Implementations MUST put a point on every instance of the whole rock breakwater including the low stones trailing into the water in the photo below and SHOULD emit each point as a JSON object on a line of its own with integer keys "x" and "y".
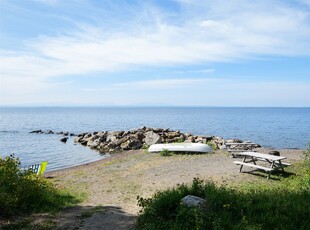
{"x": 116, "y": 141}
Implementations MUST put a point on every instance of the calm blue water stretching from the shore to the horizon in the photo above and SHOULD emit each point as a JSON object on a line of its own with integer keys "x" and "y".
{"x": 271, "y": 127}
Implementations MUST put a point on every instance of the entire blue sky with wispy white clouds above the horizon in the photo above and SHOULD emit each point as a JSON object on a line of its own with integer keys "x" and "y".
{"x": 155, "y": 53}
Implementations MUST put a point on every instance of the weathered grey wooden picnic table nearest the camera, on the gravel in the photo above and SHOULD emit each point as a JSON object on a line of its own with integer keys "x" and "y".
{"x": 251, "y": 158}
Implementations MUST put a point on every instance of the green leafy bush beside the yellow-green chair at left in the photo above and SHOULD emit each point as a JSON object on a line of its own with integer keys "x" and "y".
{"x": 22, "y": 192}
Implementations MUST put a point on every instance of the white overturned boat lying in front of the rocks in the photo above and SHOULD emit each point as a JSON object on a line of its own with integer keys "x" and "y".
{"x": 181, "y": 147}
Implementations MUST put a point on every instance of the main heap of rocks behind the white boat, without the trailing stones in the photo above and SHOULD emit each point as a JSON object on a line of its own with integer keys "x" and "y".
{"x": 136, "y": 139}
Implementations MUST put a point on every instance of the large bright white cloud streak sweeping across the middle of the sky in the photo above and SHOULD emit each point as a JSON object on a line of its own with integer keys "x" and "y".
{"x": 276, "y": 30}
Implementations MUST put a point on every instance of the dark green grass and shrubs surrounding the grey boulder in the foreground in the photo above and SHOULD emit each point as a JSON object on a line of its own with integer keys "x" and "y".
{"x": 282, "y": 204}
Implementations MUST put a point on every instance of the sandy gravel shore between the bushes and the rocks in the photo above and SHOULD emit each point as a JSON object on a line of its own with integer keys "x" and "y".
{"x": 113, "y": 184}
